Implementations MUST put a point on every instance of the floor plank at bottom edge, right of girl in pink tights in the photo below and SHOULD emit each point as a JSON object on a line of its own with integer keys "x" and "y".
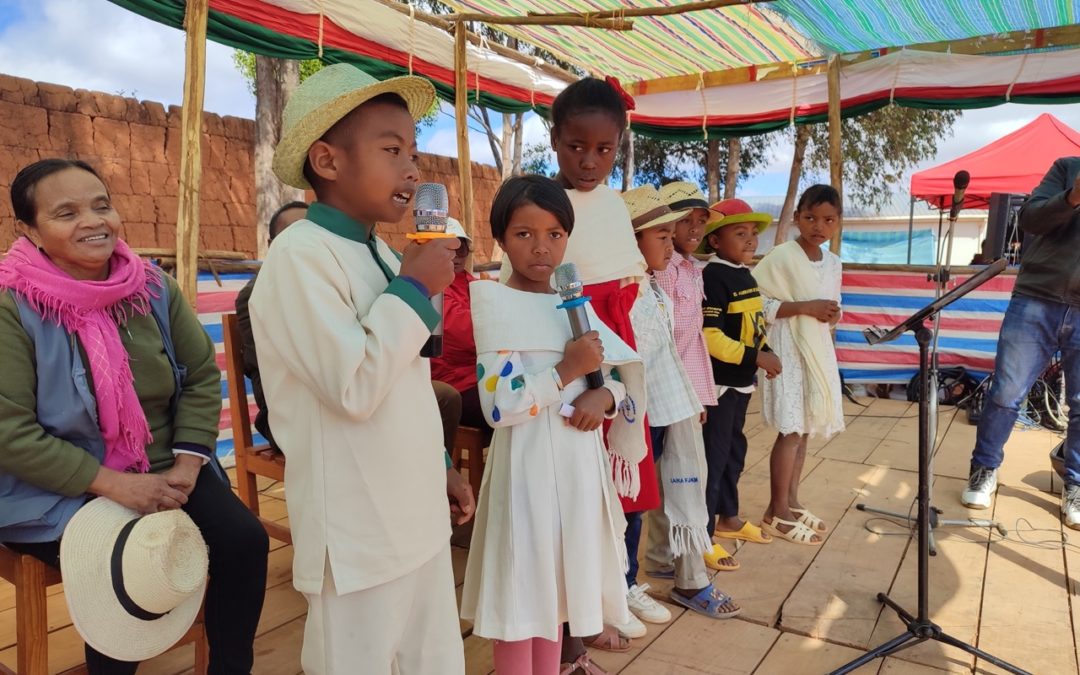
{"x": 695, "y": 644}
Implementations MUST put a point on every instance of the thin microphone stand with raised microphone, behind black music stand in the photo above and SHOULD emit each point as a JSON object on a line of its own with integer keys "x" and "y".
{"x": 941, "y": 277}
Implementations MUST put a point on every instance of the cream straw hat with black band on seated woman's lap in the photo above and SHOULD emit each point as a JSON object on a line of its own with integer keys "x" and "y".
{"x": 133, "y": 585}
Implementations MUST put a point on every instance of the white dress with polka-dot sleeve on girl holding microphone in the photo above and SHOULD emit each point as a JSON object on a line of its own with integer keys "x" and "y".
{"x": 547, "y": 545}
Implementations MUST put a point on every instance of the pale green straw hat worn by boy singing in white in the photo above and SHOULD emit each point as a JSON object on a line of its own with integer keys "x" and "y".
{"x": 323, "y": 100}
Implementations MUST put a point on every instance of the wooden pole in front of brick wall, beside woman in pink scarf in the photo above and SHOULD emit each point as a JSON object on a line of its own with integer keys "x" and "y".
{"x": 187, "y": 218}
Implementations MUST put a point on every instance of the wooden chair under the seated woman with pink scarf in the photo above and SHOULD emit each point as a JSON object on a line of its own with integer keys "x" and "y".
{"x": 31, "y": 578}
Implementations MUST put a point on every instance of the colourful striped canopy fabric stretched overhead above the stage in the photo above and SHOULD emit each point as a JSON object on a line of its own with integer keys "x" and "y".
{"x": 738, "y": 71}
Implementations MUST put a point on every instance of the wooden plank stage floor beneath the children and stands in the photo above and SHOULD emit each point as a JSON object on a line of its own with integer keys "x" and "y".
{"x": 807, "y": 610}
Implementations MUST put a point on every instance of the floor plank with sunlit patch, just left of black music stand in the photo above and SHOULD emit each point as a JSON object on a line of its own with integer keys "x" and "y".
{"x": 836, "y": 598}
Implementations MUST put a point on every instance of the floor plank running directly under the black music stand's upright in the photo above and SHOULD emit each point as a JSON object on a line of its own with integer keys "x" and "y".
{"x": 956, "y": 590}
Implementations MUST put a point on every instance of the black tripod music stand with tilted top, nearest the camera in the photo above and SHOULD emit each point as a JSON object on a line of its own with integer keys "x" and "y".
{"x": 920, "y": 628}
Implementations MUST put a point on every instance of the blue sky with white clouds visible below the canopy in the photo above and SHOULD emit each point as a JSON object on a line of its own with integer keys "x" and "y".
{"x": 98, "y": 46}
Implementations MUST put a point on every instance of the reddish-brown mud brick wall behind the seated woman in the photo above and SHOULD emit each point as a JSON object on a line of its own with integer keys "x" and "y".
{"x": 137, "y": 148}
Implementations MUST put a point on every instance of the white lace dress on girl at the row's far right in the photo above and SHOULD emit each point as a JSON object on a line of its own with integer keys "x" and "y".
{"x": 784, "y": 397}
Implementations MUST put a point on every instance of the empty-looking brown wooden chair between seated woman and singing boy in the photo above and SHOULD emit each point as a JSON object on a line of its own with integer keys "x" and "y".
{"x": 252, "y": 461}
